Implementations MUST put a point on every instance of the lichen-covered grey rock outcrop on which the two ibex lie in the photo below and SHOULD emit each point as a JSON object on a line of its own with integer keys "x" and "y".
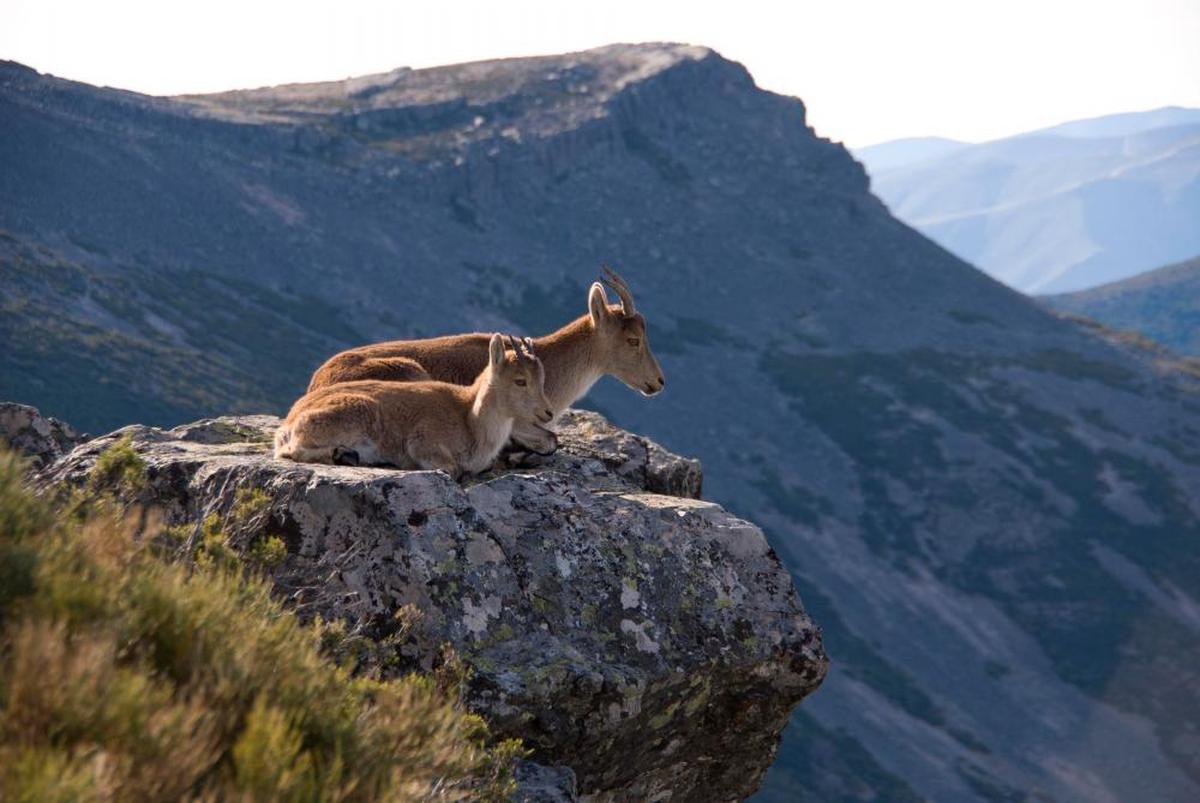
{"x": 627, "y": 631}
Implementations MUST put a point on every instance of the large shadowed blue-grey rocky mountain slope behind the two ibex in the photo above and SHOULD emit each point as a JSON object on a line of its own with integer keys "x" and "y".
{"x": 992, "y": 512}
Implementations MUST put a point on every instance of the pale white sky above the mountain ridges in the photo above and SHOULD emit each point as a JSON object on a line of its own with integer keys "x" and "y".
{"x": 868, "y": 70}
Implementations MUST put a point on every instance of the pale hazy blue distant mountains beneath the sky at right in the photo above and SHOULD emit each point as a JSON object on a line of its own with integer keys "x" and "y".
{"x": 1064, "y": 208}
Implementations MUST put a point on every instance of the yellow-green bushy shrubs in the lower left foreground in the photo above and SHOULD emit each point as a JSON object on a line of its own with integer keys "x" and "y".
{"x": 128, "y": 676}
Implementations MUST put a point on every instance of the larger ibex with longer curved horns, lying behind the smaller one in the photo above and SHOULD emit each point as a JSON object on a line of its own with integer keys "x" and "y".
{"x": 609, "y": 339}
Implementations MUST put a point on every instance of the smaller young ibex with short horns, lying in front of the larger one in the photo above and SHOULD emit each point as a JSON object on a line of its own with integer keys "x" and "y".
{"x": 421, "y": 424}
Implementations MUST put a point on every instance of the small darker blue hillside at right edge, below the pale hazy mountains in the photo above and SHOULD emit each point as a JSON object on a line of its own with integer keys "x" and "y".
{"x": 1162, "y": 304}
